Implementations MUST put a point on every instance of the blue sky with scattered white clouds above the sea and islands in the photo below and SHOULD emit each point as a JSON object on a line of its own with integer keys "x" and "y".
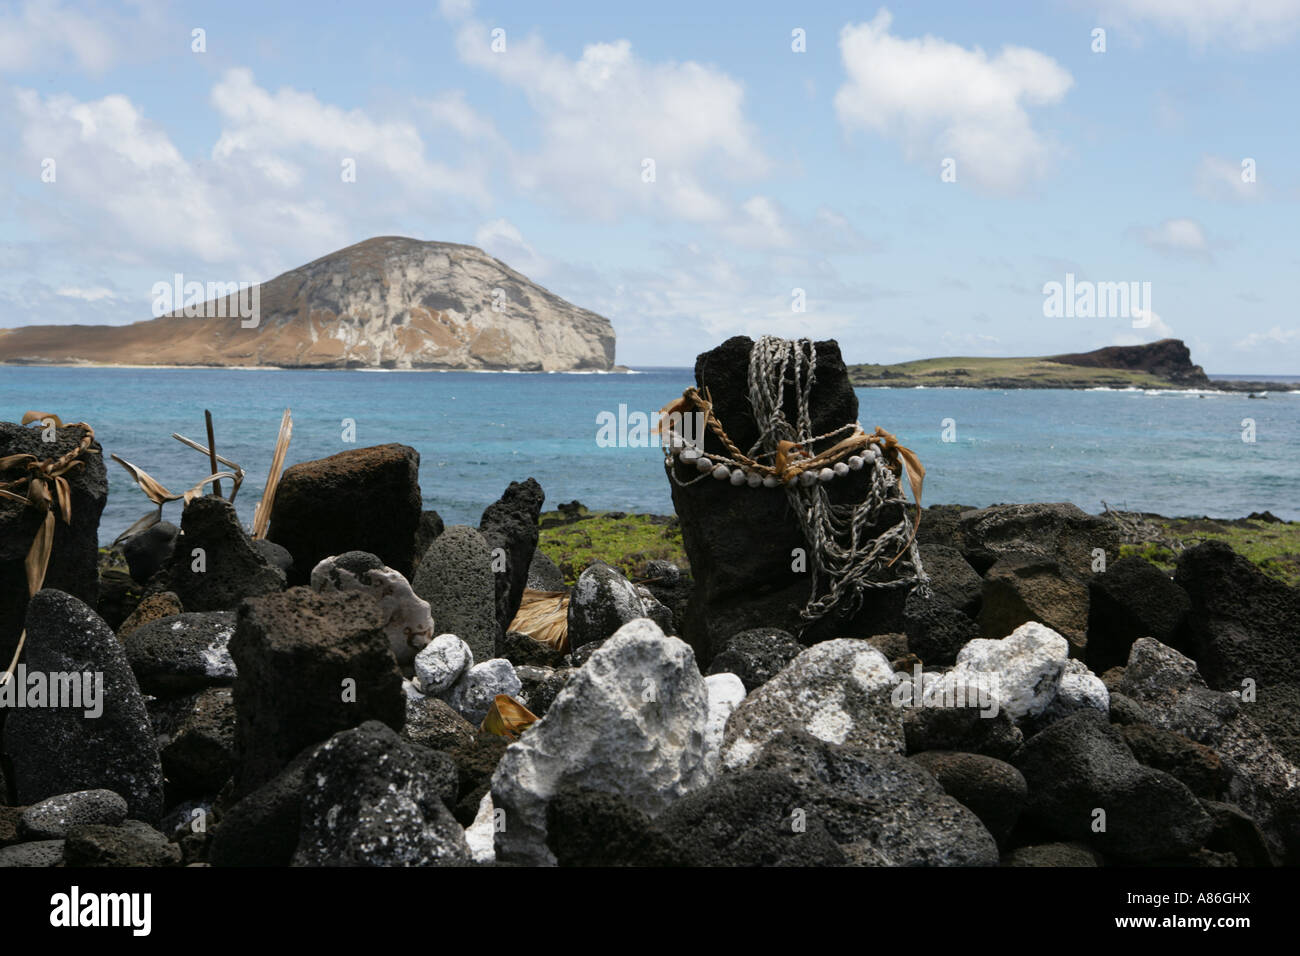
{"x": 907, "y": 179}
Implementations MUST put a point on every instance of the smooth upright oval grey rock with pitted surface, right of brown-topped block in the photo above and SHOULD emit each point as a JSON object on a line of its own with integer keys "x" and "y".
{"x": 457, "y": 579}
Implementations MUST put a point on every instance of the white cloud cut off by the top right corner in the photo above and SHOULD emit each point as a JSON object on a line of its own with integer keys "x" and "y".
{"x": 1241, "y": 24}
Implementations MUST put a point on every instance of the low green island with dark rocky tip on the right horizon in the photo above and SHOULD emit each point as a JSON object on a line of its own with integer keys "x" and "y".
{"x": 1164, "y": 365}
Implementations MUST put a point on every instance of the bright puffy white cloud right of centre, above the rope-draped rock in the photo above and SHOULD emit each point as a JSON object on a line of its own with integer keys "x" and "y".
{"x": 943, "y": 101}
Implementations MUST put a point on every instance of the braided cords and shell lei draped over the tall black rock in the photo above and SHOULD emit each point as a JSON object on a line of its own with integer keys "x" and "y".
{"x": 842, "y": 553}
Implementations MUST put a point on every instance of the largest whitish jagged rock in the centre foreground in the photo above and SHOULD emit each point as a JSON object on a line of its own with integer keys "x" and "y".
{"x": 630, "y": 723}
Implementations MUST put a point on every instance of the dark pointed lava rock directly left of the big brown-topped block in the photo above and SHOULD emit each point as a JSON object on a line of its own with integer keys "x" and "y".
{"x": 228, "y": 568}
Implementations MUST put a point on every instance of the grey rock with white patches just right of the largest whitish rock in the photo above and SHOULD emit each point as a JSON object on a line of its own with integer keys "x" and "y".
{"x": 840, "y": 691}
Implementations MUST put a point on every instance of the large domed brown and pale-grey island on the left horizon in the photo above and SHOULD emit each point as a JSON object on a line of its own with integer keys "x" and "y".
{"x": 383, "y": 304}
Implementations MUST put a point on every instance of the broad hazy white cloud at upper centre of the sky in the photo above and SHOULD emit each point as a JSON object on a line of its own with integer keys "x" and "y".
{"x": 600, "y": 118}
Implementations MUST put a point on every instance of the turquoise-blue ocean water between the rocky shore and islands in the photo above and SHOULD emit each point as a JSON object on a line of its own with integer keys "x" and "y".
{"x": 1176, "y": 453}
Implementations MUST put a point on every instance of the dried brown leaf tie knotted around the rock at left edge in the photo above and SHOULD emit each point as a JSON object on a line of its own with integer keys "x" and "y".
{"x": 46, "y": 490}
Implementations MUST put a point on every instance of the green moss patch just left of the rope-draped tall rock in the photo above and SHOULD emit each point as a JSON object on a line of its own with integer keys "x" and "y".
{"x": 577, "y": 538}
